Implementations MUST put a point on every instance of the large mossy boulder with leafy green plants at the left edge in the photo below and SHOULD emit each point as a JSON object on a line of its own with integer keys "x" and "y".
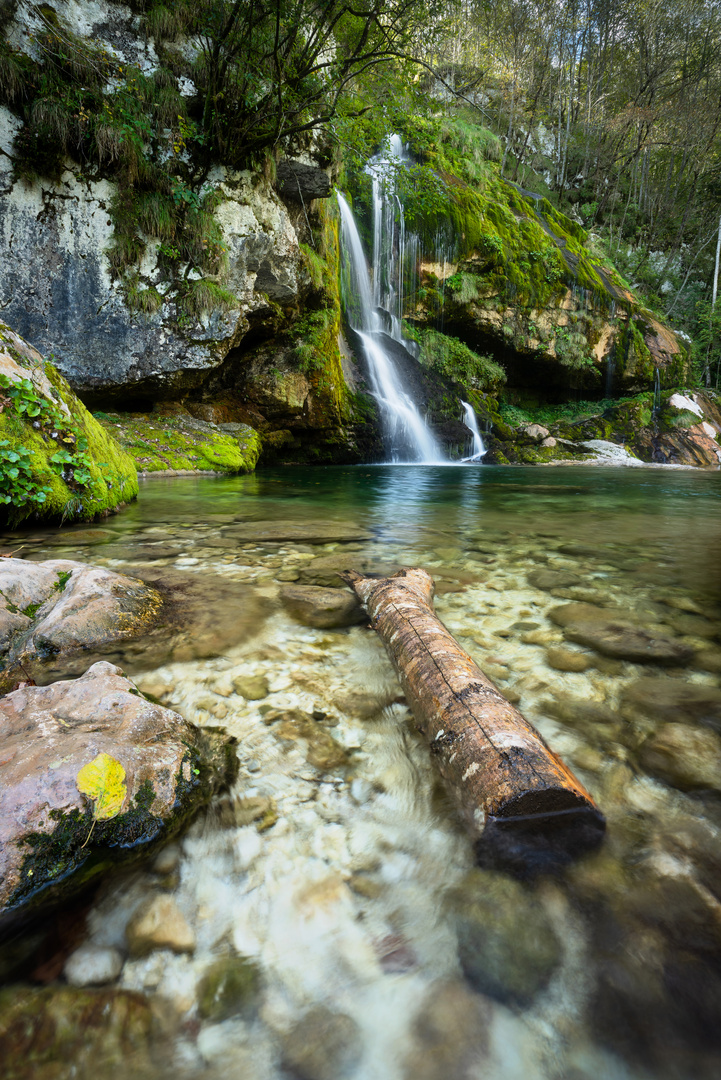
{"x": 48, "y": 422}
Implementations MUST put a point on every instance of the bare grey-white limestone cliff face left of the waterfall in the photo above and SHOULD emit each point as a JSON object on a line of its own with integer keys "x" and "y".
{"x": 76, "y": 310}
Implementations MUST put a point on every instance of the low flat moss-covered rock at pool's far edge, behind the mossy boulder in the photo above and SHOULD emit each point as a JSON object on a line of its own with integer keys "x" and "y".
{"x": 179, "y": 443}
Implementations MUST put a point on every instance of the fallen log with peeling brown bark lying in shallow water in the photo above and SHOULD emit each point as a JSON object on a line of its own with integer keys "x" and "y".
{"x": 519, "y": 800}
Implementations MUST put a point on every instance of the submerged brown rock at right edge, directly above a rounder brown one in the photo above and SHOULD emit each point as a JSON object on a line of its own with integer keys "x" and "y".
{"x": 669, "y": 699}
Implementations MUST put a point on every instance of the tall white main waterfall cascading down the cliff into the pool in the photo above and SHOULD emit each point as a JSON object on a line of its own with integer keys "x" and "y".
{"x": 405, "y": 428}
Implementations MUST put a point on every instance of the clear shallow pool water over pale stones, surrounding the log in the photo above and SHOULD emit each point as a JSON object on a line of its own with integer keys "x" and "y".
{"x": 358, "y": 898}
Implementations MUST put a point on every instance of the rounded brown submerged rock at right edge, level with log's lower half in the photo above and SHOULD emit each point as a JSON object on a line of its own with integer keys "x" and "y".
{"x": 685, "y": 758}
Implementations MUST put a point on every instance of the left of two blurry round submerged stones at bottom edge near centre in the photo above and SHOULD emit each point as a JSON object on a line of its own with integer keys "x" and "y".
{"x": 322, "y": 1046}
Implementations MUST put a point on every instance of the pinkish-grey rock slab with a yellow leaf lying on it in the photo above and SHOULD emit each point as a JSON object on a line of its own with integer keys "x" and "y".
{"x": 48, "y": 830}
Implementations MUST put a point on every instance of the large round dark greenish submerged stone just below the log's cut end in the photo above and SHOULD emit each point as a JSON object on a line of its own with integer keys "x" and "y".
{"x": 508, "y": 947}
